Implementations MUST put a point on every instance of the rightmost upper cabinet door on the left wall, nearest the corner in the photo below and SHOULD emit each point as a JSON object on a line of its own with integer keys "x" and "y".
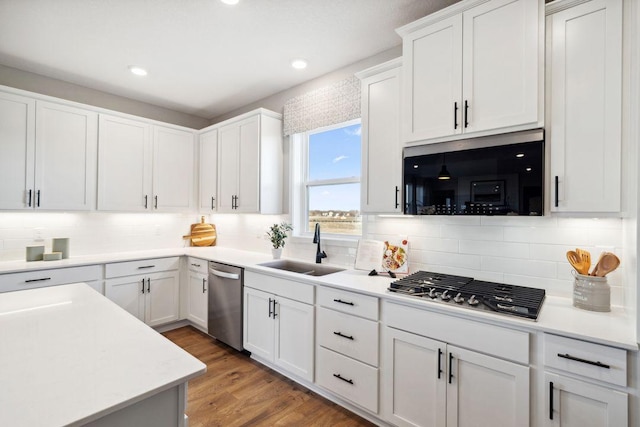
{"x": 173, "y": 169}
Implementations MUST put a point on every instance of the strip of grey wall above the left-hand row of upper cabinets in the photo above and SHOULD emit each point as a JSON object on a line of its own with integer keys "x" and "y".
{"x": 47, "y": 86}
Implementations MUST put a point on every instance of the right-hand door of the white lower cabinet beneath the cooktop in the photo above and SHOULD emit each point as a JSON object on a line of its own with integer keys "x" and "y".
{"x": 485, "y": 391}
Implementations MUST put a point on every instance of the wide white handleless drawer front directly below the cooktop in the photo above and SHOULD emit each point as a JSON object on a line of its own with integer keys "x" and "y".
{"x": 502, "y": 342}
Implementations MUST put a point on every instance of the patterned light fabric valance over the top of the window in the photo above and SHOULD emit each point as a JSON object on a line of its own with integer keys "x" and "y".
{"x": 326, "y": 106}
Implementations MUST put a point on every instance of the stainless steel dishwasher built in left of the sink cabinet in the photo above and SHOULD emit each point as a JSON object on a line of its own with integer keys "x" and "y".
{"x": 225, "y": 303}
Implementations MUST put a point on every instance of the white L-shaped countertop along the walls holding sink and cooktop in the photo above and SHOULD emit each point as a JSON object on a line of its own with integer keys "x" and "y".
{"x": 558, "y": 315}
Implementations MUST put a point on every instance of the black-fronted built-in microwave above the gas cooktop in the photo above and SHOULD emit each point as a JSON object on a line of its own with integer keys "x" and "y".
{"x": 492, "y": 175}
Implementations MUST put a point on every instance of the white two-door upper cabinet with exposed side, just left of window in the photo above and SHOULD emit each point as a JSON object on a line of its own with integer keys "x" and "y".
{"x": 250, "y": 164}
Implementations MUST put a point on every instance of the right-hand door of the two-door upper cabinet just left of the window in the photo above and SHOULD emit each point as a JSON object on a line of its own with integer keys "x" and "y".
{"x": 249, "y": 166}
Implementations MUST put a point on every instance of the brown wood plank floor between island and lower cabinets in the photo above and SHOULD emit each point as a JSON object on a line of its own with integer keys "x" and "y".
{"x": 237, "y": 391}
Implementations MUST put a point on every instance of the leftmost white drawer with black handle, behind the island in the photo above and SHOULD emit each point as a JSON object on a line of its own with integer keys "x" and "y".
{"x": 42, "y": 278}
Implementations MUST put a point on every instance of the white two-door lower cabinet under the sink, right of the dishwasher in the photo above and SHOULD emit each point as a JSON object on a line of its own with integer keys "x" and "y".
{"x": 279, "y": 330}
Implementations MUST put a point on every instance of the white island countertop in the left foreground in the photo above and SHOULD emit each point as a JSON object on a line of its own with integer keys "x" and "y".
{"x": 69, "y": 355}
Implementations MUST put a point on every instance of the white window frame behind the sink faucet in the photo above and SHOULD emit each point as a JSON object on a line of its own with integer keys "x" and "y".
{"x": 300, "y": 183}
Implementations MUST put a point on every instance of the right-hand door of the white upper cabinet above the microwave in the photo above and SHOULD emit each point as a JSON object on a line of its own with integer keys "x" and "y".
{"x": 500, "y": 64}
